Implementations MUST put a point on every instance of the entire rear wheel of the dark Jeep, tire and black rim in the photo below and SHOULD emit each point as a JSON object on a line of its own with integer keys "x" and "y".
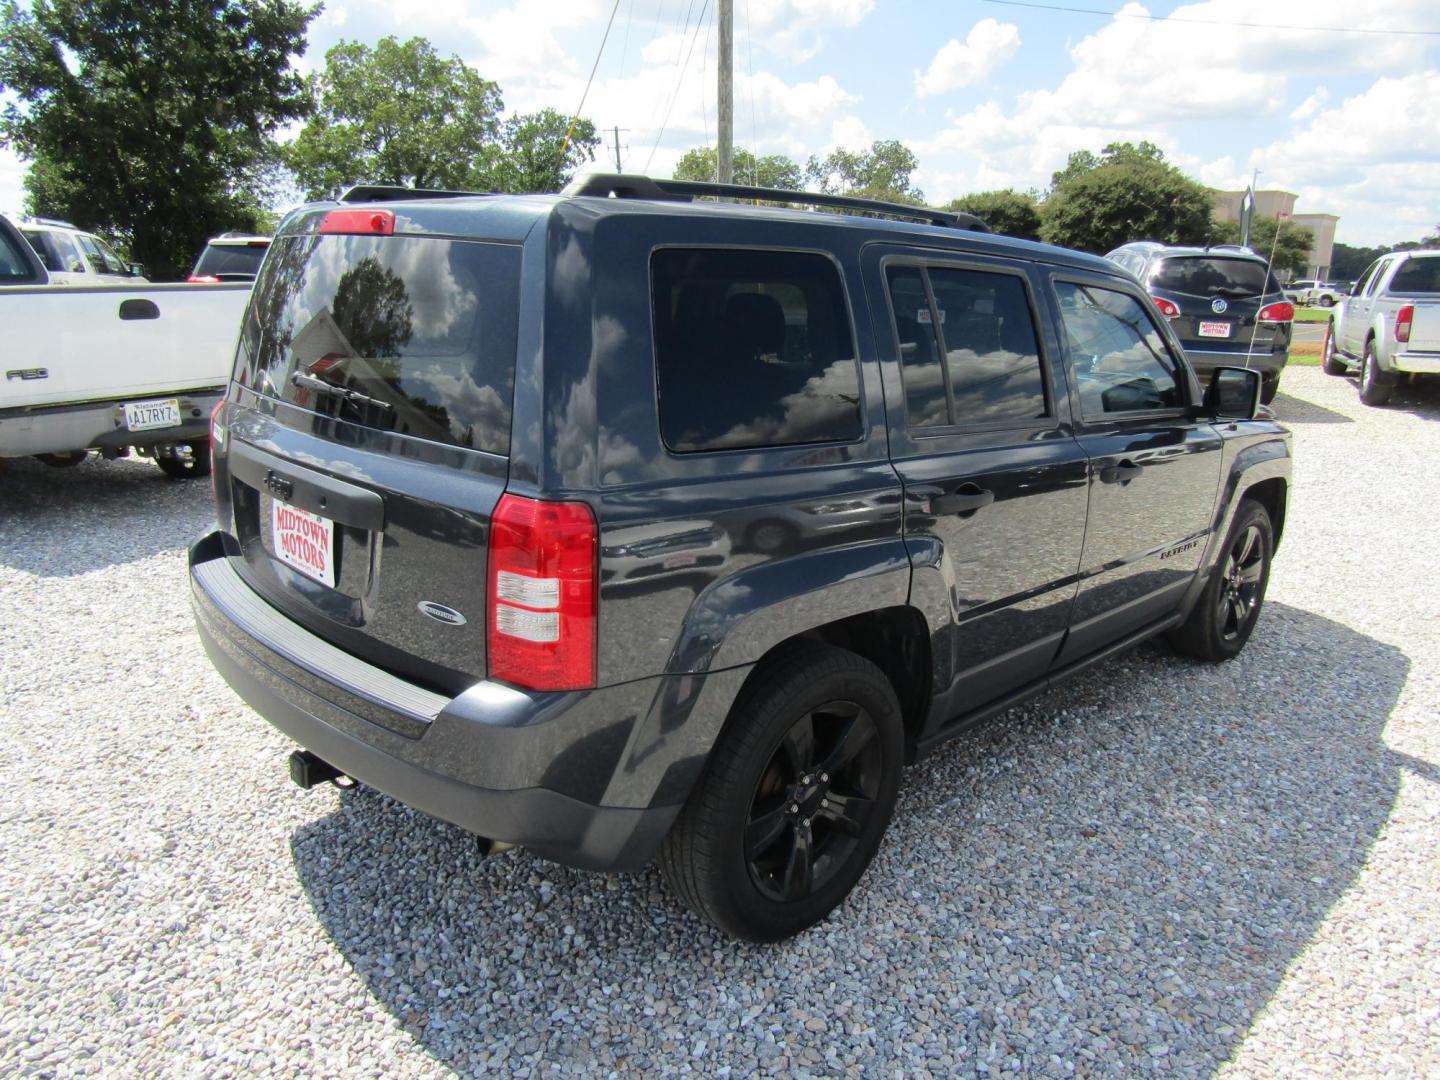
{"x": 762, "y": 850}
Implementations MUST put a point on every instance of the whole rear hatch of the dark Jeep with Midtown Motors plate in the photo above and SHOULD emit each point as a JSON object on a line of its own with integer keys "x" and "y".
{"x": 368, "y": 457}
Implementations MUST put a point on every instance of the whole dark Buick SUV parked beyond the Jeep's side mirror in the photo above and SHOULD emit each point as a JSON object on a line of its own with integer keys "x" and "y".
{"x": 1223, "y": 305}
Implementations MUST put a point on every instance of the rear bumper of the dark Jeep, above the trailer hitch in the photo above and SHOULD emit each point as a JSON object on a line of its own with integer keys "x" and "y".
{"x": 593, "y": 780}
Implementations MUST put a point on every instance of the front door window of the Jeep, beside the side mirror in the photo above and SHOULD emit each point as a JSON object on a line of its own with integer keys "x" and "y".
{"x": 1120, "y": 356}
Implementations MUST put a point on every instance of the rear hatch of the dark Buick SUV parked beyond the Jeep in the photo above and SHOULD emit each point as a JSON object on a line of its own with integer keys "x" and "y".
{"x": 1219, "y": 299}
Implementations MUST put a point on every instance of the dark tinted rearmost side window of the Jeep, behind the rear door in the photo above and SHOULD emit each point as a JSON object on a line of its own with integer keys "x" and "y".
{"x": 752, "y": 349}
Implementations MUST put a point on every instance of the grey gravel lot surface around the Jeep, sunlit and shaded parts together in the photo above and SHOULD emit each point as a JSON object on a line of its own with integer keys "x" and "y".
{"x": 1163, "y": 868}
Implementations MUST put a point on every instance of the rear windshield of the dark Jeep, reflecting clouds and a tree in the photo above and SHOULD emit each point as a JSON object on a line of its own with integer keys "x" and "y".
{"x": 407, "y": 335}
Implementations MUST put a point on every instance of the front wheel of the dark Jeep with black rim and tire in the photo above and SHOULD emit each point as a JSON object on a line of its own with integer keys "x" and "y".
{"x": 1229, "y": 608}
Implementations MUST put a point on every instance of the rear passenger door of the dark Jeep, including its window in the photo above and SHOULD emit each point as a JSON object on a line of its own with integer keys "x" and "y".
{"x": 994, "y": 482}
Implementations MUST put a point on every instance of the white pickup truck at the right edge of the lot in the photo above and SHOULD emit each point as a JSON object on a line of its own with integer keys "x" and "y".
{"x": 1389, "y": 326}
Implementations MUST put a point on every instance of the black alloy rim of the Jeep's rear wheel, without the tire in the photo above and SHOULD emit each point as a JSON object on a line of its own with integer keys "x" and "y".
{"x": 814, "y": 801}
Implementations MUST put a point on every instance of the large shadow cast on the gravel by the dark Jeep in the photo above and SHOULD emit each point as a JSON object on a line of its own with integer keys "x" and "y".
{"x": 1122, "y": 869}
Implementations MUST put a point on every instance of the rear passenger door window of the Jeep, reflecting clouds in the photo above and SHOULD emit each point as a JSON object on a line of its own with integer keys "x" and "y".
{"x": 983, "y": 326}
